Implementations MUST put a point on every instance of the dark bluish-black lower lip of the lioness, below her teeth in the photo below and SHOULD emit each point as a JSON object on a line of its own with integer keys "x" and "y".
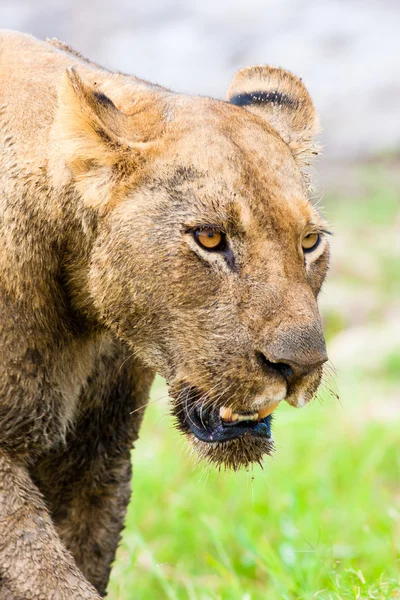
{"x": 208, "y": 426}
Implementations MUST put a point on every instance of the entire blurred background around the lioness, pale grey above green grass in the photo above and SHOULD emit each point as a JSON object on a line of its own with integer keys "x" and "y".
{"x": 322, "y": 520}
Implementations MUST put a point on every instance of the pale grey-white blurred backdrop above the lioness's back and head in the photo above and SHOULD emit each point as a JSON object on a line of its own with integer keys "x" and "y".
{"x": 347, "y": 51}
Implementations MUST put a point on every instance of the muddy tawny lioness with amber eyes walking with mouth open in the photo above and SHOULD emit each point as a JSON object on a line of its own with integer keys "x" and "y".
{"x": 142, "y": 231}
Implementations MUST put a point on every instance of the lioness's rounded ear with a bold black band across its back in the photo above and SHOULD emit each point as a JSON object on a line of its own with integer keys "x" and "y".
{"x": 283, "y": 101}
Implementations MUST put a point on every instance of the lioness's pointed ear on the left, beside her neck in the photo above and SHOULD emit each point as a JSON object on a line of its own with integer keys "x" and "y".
{"x": 94, "y": 139}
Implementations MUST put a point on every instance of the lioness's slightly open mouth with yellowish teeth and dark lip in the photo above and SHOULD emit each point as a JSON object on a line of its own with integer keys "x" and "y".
{"x": 213, "y": 424}
